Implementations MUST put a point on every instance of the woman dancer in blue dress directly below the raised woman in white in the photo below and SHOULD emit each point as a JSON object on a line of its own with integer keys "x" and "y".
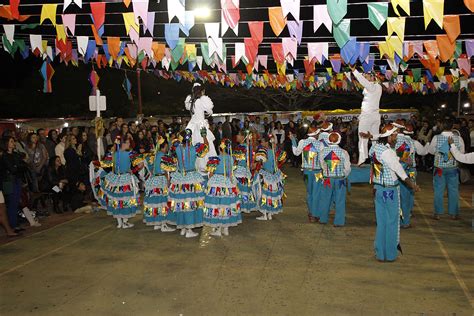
{"x": 186, "y": 192}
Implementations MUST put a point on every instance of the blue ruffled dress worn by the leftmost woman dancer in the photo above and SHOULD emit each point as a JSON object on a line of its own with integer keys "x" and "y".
{"x": 120, "y": 187}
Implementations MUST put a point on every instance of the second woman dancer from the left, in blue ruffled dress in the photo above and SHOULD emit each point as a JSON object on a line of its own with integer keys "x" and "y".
{"x": 155, "y": 203}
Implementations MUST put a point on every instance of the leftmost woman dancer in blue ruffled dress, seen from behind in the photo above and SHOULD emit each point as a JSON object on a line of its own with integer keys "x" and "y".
{"x": 120, "y": 186}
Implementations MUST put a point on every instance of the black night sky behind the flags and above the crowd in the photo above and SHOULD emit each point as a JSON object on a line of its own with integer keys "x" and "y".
{"x": 21, "y": 83}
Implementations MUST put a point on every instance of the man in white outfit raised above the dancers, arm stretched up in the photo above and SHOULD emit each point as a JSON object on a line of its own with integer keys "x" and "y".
{"x": 369, "y": 118}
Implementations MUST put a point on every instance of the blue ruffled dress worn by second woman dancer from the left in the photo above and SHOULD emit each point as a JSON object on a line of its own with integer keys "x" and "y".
{"x": 155, "y": 203}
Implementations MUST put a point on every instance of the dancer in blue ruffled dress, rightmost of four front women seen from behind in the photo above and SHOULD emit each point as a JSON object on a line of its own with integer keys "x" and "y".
{"x": 222, "y": 202}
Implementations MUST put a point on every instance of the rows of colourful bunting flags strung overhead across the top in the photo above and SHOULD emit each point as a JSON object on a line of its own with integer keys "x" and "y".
{"x": 147, "y": 53}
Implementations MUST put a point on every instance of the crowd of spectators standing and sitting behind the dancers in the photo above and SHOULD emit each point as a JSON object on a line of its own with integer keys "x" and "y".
{"x": 52, "y": 165}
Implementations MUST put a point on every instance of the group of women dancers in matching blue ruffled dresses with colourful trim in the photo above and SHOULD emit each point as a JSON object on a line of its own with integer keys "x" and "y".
{"x": 177, "y": 193}
